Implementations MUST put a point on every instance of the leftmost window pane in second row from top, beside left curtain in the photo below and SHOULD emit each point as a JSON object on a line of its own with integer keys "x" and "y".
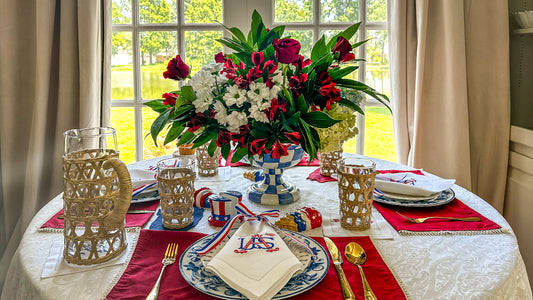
{"x": 121, "y": 66}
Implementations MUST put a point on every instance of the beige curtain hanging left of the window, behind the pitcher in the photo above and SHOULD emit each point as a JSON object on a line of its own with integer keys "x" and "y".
{"x": 50, "y": 81}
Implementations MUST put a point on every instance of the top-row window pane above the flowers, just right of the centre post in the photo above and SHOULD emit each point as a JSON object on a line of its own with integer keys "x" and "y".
{"x": 293, "y": 11}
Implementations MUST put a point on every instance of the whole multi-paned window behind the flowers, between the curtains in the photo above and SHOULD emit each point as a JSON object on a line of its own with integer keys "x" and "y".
{"x": 147, "y": 33}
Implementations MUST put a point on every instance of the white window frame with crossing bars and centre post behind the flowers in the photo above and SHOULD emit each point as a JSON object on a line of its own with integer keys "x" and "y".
{"x": 235, "y": 13}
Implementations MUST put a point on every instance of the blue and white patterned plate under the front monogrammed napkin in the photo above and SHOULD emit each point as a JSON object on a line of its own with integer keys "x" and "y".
{"x": 192, "y": 269}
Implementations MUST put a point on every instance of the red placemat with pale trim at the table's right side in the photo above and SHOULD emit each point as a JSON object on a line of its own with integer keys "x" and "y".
{"x": 455, "y": 208}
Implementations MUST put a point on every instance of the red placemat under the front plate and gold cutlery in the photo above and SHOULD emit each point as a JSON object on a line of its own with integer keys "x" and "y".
{"x": 145, "y": 265}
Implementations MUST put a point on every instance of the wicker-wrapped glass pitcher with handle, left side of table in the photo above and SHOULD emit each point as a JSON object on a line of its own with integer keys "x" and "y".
{"x": 96, "y": 195}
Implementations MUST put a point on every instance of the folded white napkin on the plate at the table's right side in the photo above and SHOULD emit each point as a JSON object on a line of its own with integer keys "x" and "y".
{"x": 407, "y": 183}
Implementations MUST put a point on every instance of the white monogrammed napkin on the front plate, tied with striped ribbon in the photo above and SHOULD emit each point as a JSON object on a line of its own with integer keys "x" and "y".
{"x": 255, "y": 261}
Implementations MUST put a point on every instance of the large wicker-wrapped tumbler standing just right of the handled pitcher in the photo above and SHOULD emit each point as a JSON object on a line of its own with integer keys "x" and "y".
{"x": 176, "y": 190}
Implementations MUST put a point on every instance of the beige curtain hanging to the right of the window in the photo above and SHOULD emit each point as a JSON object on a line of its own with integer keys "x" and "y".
{"x": 450, "y": 90}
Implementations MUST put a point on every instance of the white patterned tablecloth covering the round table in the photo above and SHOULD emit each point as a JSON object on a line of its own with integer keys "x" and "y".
{"x": 484, "y": 266}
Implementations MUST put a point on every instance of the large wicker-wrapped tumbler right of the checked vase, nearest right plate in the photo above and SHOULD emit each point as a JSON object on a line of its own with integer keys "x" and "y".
{"x": 356, "y": 185}
